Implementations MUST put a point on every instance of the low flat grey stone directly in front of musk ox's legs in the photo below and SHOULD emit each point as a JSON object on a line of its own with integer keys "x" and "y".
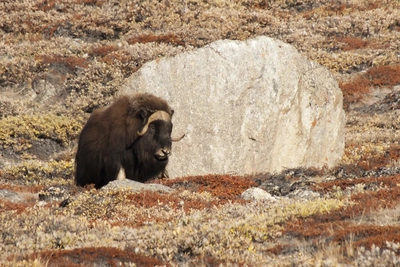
{"x": 136, "y": 186}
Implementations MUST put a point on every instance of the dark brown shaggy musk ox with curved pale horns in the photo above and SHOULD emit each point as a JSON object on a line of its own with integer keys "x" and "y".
{"x": 133, "y": 135}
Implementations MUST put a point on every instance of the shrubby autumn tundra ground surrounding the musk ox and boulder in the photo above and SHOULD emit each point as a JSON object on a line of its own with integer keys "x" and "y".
{"x": 62, "y": 59}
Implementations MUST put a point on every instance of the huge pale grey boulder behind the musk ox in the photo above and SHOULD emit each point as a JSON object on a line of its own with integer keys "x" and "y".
{"x": 247, "y": 107}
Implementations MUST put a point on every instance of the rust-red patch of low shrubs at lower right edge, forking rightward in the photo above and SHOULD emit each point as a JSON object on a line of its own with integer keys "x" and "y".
{"x": 337, "y": 226}
